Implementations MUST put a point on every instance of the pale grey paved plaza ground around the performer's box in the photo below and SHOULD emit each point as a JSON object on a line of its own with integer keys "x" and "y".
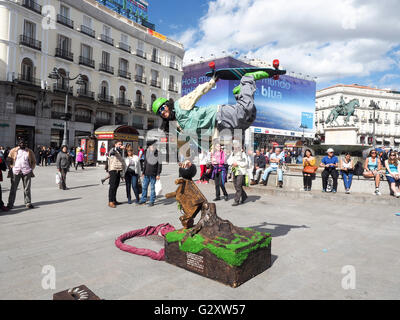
{"x": 314, "y": 237}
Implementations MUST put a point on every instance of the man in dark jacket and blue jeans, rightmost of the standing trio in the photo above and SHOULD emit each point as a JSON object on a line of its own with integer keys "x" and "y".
{"x": 151, "y": 173}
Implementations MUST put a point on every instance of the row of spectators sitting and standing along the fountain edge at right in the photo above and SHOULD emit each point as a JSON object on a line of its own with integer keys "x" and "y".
{"x": 256, "y": 168}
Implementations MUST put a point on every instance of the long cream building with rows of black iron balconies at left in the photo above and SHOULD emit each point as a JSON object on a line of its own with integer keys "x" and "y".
{"x": 125, "y": 67}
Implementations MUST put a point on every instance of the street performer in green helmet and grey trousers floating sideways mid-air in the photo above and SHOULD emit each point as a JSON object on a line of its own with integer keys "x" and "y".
{"x": 204, "y": 120}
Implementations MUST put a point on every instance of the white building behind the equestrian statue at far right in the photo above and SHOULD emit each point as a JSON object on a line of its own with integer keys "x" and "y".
{"x": 387, "y": 118}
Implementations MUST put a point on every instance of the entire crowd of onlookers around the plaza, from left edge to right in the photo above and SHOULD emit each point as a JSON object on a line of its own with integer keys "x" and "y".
{"x": 142, "y": 170}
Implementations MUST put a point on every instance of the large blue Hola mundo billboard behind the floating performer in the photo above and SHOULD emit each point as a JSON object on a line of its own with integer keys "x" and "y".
{"x": 285, "y": 106}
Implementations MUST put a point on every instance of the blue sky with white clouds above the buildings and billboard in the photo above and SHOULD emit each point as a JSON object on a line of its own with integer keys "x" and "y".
{"x": 341, "y": 41}
